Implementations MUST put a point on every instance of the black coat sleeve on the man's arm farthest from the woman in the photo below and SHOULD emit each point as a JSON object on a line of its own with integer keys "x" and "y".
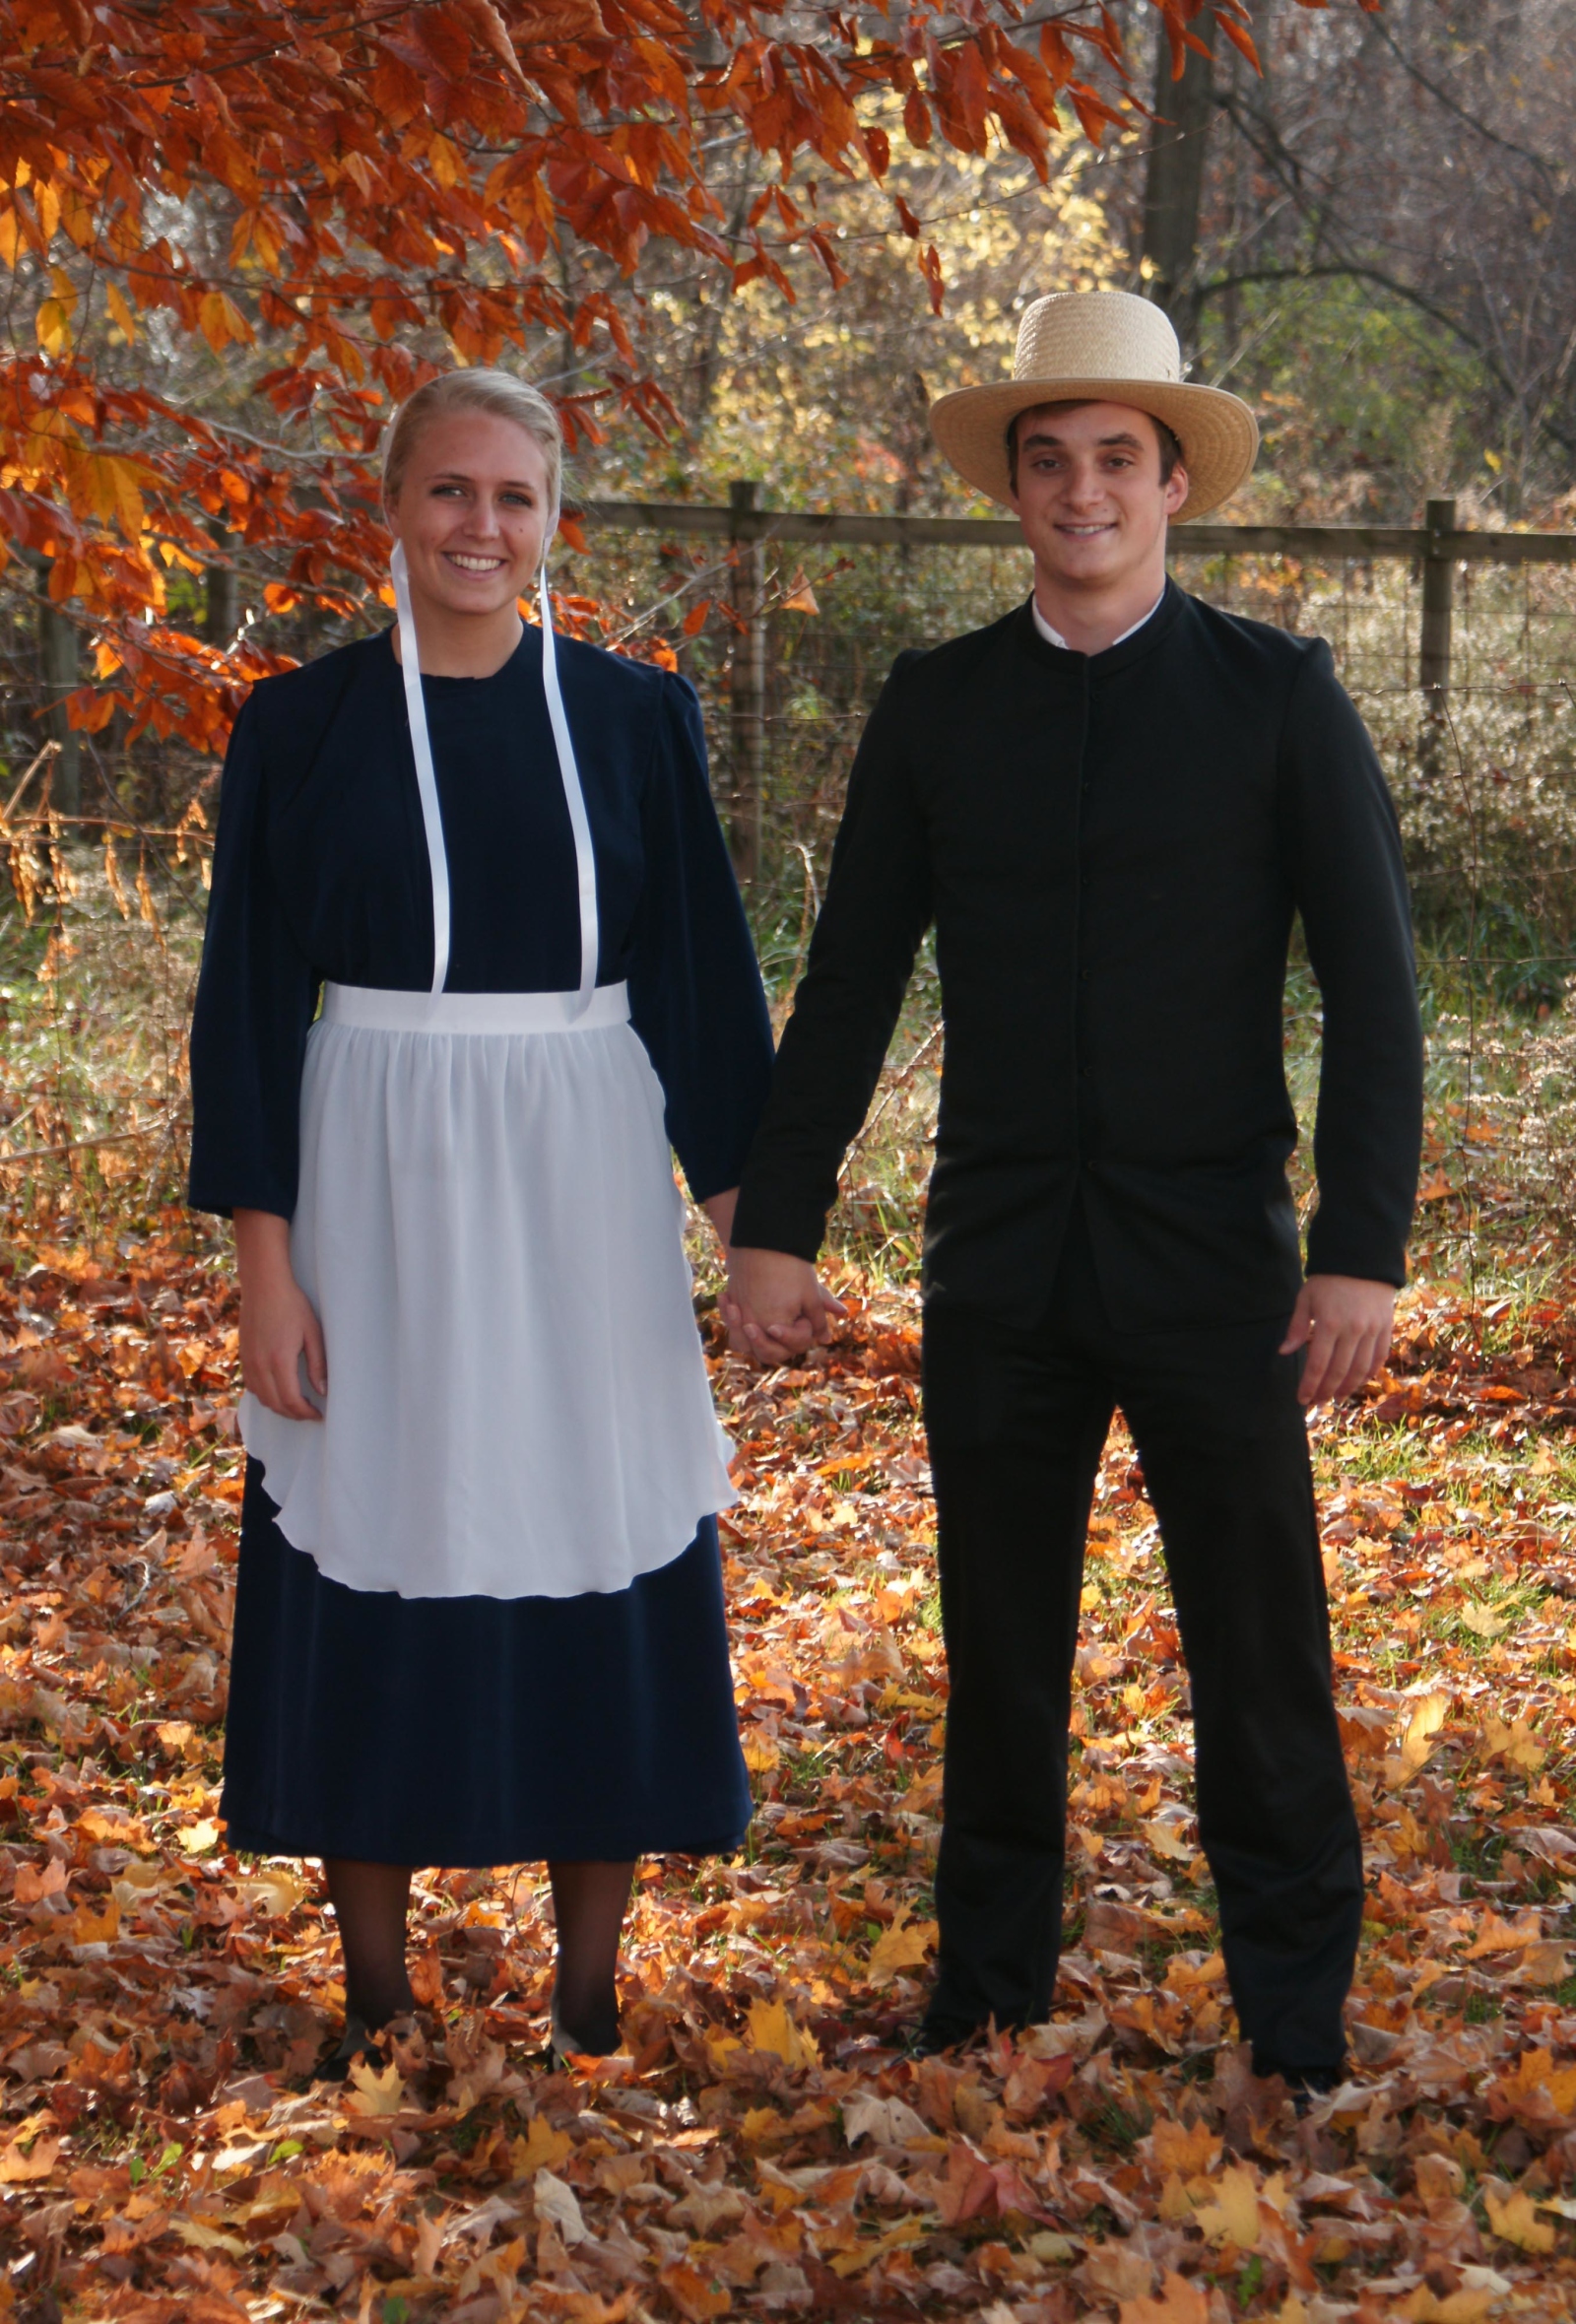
{"x": 1352, "y": 891}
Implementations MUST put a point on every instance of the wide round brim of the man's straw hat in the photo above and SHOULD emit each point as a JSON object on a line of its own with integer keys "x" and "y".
{"x": 1215, "y": 429}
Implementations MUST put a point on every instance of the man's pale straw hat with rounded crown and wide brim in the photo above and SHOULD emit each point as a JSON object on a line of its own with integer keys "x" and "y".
{"x": 1101, "y": 347}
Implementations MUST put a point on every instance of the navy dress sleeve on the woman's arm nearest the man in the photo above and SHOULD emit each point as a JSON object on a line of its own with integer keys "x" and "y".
{"x": 694, "y": 982}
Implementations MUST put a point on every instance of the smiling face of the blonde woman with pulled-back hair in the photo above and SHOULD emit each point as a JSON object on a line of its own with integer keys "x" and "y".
{"x": 473, "y": 512}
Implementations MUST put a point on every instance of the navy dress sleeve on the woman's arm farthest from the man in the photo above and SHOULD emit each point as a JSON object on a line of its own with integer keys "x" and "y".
{"x": 257, "y": 996}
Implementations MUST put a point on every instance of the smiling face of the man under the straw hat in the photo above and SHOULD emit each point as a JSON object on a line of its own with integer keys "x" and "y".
{"x": 1089, "y": 492}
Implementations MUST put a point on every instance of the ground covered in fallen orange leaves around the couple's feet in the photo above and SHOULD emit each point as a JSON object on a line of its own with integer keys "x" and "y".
{"x": 766, "y": 2146}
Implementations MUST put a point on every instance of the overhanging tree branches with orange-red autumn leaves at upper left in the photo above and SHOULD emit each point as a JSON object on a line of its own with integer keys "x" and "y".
{"x": 241, "y": 229}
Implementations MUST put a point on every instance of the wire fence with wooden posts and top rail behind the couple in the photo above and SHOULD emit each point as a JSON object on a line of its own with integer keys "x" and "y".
{"x": 789, "y": 629}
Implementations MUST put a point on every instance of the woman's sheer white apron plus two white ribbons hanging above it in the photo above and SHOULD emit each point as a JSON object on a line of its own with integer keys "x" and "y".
{"x": 492, "y": 1235}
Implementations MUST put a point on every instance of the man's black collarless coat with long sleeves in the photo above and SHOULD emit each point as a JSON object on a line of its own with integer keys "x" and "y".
{"x": 1112, "y": 852}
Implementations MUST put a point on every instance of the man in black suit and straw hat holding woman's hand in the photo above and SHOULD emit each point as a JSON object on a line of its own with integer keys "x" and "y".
{"x": 1110, "y": 805}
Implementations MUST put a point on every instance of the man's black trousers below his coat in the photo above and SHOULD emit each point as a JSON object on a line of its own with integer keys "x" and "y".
{"x": 1017, "y": 1423}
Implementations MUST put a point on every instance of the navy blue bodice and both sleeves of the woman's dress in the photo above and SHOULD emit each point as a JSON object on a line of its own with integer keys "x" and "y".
{"x": 322, "y": 873}
